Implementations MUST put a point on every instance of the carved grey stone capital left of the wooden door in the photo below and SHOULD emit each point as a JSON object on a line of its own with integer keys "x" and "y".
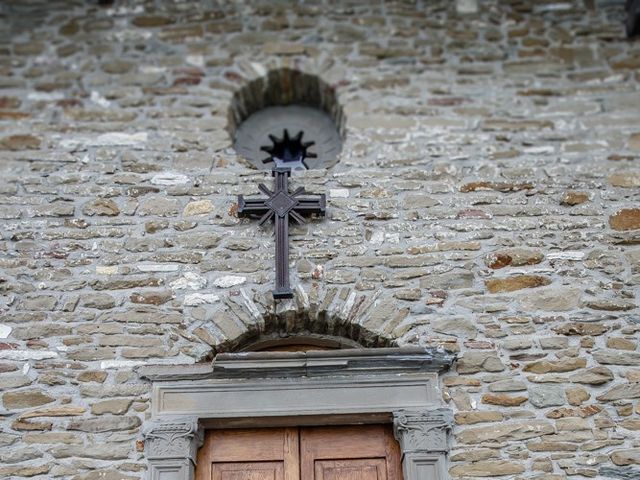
{"x": 175, "y": 438}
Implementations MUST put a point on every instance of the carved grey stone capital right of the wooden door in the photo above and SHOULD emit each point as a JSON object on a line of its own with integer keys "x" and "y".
{"x": 422, "y": 431}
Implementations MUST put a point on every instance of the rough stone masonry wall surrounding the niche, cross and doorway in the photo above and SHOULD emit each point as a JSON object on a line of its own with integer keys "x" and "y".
{"x": 486, "y": 201}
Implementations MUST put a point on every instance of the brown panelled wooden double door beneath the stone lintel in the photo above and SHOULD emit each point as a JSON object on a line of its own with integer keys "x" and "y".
{"x": 311, "y": 453}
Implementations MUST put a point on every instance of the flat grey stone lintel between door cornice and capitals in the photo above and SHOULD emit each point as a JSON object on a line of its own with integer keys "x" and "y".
{"x": 277, "y": 397}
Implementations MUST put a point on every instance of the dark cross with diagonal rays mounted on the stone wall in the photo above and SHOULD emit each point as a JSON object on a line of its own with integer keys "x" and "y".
{"x": 282, "y": 205}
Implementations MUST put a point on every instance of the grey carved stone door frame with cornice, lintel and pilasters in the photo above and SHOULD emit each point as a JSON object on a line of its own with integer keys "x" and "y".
{"x": 267, "y": 389}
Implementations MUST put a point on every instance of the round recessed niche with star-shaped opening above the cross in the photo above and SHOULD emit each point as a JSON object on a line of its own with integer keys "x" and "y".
{"x": 287, "y": 119}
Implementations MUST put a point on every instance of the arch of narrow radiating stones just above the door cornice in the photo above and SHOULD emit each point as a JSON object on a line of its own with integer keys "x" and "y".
{"x": 244, "y": 316}
